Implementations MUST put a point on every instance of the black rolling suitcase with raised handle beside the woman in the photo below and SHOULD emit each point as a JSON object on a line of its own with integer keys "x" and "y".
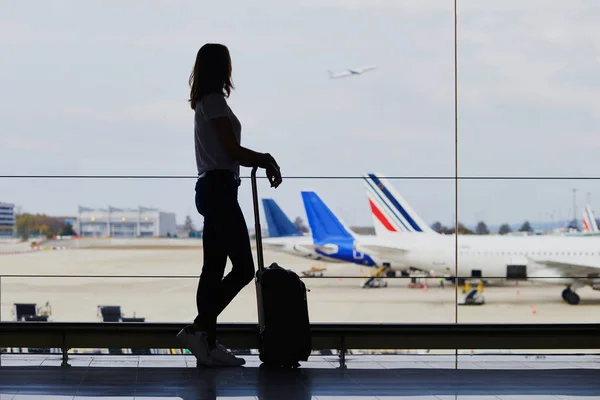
{"x": 283, "y": 322}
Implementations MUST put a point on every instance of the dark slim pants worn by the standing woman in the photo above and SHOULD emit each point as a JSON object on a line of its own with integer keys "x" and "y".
{"x": 225, "y": 235}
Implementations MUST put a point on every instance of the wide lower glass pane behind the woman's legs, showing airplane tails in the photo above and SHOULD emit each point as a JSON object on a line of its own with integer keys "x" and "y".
{"x": 155, "y": 276}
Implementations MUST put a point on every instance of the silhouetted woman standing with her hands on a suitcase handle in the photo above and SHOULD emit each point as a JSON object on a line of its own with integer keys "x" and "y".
{"x": 219, "y": 155}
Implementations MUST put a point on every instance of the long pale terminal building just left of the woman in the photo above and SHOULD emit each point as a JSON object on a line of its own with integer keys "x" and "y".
{"x": 125, "y": 222}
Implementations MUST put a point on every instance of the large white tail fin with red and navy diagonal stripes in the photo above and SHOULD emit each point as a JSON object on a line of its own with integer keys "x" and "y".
{"x": 390, "y": 212}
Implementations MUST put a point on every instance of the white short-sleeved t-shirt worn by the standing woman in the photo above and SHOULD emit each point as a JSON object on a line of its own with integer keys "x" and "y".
{"x": 210, "y": 154}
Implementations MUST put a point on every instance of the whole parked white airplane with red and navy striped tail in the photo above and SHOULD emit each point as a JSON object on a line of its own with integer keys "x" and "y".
{"x": 403, "y": 238}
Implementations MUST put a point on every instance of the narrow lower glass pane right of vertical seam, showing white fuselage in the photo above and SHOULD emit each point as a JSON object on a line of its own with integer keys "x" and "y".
{"x": 531, "y": 259}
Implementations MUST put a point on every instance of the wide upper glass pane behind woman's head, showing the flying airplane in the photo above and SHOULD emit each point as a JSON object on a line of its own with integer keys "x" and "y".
{"x": 119, "y": 89}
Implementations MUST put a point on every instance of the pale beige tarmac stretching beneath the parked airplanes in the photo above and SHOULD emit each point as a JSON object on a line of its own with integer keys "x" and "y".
{"x": 160, "y": 286}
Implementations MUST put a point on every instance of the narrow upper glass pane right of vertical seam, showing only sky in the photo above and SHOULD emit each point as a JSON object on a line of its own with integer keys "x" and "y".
{"x": 528, "y": 85}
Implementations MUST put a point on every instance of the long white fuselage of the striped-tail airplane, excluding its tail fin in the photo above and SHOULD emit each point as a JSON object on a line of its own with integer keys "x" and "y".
{"x": 498, "y": 257}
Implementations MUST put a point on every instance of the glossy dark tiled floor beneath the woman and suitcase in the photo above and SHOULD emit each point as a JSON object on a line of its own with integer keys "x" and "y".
{"x": 366, "y": 377}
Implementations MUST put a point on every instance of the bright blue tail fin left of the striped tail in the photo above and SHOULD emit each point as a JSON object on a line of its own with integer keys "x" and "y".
{"x": 324, "y": 225}
